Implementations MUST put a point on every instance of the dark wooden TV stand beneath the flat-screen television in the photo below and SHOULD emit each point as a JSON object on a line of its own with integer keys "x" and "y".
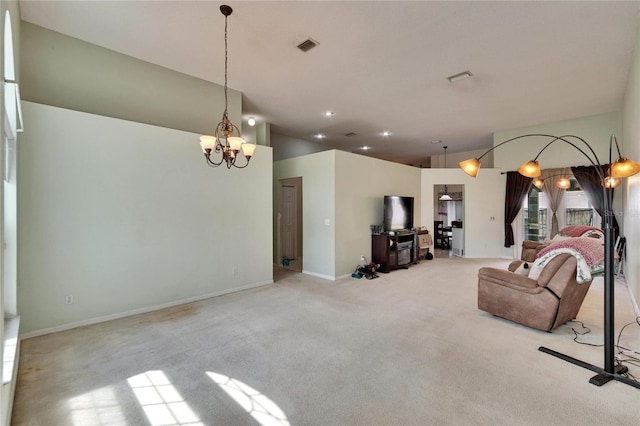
{"x": 394, "y": 251}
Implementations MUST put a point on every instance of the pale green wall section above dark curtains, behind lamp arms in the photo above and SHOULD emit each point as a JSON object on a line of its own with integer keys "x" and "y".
{"x": 595, "y": 130}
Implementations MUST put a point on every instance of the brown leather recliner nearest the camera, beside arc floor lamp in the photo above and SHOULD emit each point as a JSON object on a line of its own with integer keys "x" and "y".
{"x": 551, "y": 300}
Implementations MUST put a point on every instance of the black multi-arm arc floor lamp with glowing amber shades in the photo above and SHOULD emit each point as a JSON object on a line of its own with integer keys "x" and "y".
{"x": 621, "y": 168}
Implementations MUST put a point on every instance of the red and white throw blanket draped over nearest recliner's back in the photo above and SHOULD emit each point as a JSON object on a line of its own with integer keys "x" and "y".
{"x": 588, "y": 251}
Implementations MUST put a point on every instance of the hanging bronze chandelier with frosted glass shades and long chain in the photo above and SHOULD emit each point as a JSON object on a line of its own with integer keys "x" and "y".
{"x": 226, "y": 143}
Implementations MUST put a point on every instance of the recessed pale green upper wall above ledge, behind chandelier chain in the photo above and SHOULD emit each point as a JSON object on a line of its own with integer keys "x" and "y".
{"x": 62, "y": 71}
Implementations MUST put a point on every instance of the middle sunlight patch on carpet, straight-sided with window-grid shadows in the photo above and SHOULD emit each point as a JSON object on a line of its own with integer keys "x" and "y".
{"x": 161, "y": 402}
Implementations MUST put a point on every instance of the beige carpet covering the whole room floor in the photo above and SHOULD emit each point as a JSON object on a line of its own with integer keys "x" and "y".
{"x": 408, "y": 348}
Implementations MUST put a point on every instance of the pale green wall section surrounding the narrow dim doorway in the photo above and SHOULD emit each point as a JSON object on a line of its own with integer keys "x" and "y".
{"x": 318, "y": 210}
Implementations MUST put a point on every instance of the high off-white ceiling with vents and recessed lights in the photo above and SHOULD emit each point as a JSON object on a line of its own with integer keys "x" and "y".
{"x": 380, "y": 66}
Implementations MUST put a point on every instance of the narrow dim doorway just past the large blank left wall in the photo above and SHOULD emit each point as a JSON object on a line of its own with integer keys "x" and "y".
{"x": 290, "y": 247}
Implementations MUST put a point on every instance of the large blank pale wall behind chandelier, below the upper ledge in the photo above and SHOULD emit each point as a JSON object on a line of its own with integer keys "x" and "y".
{"x": 126, "y": 217}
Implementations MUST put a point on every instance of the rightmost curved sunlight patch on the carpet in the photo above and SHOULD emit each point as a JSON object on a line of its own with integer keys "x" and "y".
{"x": 262, "y": 409}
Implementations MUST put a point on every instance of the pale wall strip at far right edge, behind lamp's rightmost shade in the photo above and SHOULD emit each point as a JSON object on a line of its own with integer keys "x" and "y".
{"x": 631, "y": 148}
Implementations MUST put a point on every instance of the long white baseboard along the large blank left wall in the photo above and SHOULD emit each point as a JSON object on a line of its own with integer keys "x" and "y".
{"x": 139, "y": 311}
